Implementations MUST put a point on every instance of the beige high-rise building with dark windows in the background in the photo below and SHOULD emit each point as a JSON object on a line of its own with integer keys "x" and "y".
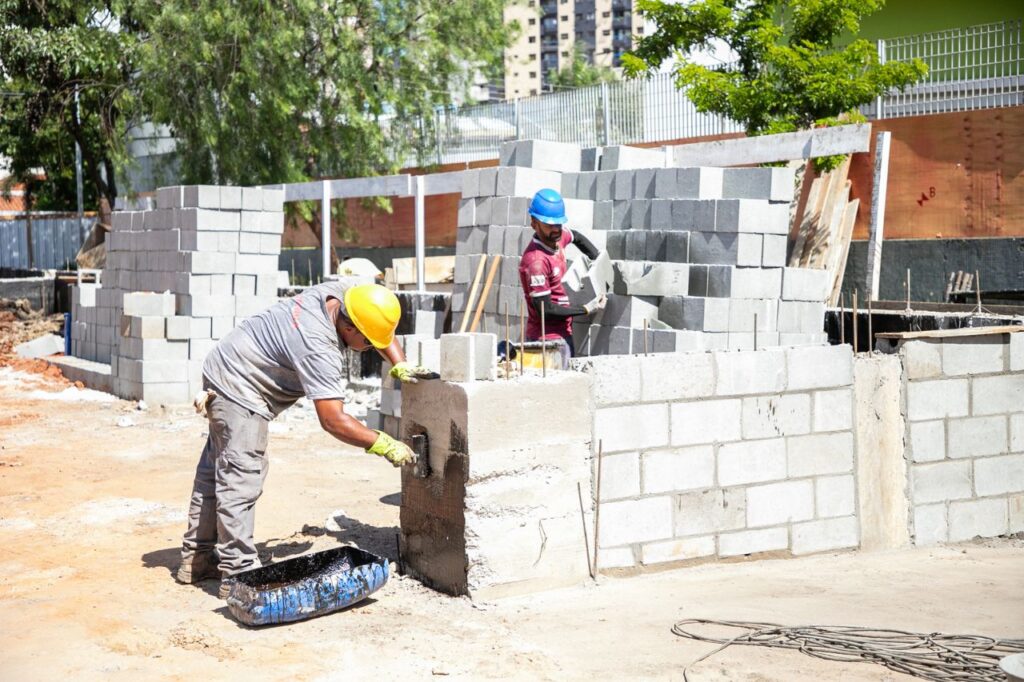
{"x": 550, "y": 31}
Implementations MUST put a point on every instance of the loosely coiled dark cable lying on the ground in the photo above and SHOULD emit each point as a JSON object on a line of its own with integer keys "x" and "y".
{"x": 931, "y": 657}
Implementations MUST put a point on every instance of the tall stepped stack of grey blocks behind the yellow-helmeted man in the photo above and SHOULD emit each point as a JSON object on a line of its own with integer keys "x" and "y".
{"x": 179, "y": 278}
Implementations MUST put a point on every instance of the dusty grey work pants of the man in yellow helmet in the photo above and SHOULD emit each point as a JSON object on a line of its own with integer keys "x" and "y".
{"x": 229, "y": 482}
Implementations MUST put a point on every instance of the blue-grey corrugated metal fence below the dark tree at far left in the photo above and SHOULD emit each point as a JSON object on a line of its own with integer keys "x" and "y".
{"x": 56, "y": 242}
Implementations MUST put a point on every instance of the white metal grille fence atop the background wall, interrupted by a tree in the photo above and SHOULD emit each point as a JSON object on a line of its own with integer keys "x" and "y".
{"x": 974, "y": 68}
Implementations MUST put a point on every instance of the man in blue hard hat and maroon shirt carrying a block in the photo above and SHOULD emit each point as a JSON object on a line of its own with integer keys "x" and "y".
{"x": 542, "y": 268}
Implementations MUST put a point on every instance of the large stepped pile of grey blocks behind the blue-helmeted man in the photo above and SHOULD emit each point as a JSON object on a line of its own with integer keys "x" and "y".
{"x": 678, "y": 239}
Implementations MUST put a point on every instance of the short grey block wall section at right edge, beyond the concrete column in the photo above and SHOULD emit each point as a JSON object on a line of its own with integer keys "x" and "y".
{"x": 965, "y": 436}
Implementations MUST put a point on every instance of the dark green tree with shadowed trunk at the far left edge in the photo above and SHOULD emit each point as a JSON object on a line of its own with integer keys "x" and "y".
{"x": 51, "y": 53}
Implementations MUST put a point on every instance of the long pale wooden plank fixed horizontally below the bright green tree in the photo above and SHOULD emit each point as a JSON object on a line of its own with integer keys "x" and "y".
{"x": 767, "y": 149}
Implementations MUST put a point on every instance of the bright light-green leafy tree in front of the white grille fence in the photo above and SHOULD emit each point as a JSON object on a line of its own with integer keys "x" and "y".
{"x": 792, "y": 73}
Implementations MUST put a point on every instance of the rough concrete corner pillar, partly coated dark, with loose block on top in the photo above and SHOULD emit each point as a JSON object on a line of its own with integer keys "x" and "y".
{"x": 498, "y": 515}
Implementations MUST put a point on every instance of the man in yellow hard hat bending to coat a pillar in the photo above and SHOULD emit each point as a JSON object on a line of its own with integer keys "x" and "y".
{"x": 293, "y": 350}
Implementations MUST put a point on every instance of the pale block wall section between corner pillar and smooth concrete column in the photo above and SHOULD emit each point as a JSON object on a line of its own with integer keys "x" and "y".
{"x": 724, "y": 454}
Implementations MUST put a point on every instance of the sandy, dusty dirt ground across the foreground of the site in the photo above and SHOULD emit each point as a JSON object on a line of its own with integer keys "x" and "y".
{"x": 92, "y": 516}
